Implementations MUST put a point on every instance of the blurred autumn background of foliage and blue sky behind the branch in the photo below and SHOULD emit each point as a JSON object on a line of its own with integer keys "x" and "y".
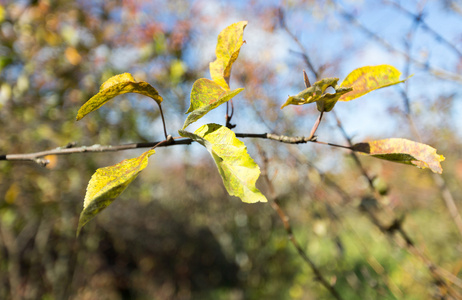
{"x": 175, "y": 233}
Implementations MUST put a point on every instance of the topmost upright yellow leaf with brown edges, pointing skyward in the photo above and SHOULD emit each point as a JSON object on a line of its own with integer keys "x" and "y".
{"x": 229, "y": 44}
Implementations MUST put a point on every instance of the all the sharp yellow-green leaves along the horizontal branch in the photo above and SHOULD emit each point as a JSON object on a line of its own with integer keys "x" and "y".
{"x": 237, "y": 169}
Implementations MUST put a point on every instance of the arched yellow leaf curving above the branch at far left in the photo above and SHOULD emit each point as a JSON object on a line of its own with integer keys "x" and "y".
{"x": 114, "y": 86}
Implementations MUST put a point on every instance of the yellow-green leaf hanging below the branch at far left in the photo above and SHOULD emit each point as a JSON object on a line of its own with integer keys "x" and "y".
{"x": 108, "y": 183}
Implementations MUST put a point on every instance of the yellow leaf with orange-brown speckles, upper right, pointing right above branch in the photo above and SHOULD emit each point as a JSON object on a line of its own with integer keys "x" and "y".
{"x": 366, "y": 79}
